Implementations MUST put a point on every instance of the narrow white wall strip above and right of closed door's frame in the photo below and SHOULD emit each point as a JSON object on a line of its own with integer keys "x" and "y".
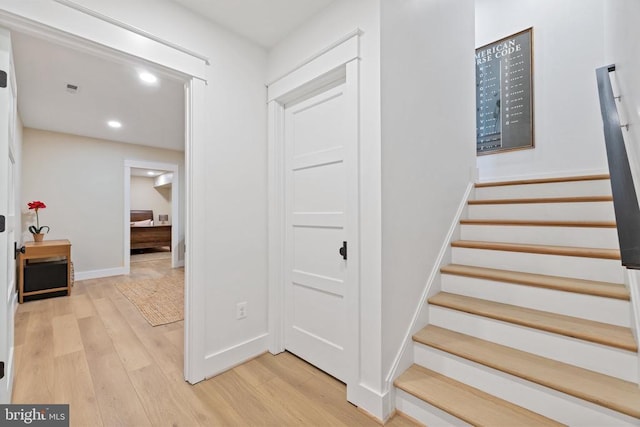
{"x": 333, "y": 22}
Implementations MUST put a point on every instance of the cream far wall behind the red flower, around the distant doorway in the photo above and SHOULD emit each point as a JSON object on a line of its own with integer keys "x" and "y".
{"x": 84, "y": 197}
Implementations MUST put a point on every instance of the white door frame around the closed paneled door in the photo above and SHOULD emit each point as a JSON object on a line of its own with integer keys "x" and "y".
{"x": 340, "y": 60}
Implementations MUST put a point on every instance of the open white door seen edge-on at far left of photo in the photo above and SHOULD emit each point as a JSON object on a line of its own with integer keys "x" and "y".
{"x": 7, "y": 209}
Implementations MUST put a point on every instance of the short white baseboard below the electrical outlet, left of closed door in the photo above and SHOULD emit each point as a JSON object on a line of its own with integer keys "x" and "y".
{"x": 235, "y": 355}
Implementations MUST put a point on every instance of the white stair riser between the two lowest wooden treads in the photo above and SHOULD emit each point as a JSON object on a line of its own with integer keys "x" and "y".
{"x": 545, "y": 401}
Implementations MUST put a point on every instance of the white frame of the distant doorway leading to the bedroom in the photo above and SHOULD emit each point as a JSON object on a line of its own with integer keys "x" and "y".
{"x": 175, "y": 208}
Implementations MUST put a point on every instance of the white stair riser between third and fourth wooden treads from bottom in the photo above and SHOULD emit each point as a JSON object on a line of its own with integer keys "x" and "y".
{"x": 599, "y": 309}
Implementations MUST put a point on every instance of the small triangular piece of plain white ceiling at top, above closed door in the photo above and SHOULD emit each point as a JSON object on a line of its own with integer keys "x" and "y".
{"x": 264, "y": 22}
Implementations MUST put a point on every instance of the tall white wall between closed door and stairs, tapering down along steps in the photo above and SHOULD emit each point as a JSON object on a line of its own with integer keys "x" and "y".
{"x": 428, "y": 150}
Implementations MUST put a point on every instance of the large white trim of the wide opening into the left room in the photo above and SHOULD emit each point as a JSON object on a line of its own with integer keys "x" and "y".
{"x": 176, "y": 62}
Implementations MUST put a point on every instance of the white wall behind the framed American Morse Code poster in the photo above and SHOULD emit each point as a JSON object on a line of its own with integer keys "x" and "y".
{"x": 568, "y": 46}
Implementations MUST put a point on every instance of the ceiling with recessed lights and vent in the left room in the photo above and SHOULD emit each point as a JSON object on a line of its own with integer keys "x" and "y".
{"x": 107, "y": 90}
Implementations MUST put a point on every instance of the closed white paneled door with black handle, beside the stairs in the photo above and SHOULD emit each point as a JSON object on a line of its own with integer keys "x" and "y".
{"x": 319, "y": 160}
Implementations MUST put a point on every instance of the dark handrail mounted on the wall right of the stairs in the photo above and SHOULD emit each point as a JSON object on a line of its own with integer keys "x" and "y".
{"x": 625, "y": 201}
